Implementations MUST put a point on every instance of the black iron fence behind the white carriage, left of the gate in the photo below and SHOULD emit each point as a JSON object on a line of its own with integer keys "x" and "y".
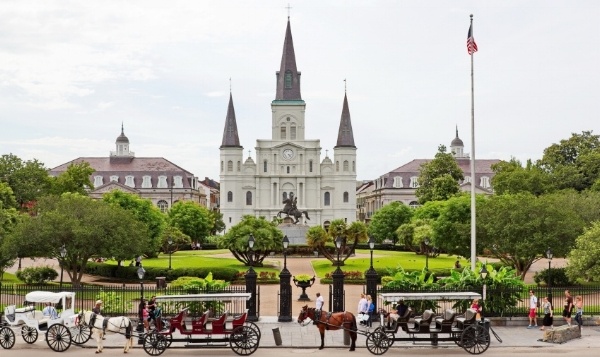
{"x": 123, "y": 300}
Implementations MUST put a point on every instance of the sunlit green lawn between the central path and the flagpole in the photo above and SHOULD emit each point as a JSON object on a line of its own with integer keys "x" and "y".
{"x": 388, "y": 259}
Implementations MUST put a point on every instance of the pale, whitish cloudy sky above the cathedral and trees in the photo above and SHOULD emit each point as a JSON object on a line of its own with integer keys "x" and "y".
{"x": 72, "y": 71}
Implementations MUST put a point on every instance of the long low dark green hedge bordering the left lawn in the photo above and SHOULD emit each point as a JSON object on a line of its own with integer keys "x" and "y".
{"x": 130, "y": 273}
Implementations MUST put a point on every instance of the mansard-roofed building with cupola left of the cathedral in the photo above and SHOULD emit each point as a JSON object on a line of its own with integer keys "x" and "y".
{"x": 154, "y": 178}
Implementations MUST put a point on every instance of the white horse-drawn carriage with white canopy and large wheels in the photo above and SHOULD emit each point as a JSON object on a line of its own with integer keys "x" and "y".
{"x": 60, "y": 328}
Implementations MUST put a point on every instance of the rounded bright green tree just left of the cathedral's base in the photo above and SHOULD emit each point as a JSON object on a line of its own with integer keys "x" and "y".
{"x": 191, "y": 219}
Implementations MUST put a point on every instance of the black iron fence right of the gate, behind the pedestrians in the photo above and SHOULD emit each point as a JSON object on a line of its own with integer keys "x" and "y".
{"x": 506, "y": 302}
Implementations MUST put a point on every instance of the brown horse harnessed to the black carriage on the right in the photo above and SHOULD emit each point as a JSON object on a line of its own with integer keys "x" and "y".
{"x": 330, "y": 321}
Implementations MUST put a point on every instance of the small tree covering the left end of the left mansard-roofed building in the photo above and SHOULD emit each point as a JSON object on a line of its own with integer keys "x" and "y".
{"x": 76, "y": 180}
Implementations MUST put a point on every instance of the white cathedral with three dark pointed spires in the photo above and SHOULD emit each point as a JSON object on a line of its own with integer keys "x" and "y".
{"x": 288, "y": 163}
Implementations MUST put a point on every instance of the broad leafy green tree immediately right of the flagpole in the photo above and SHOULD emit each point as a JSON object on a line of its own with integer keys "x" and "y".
{"x": 519, "y": 228}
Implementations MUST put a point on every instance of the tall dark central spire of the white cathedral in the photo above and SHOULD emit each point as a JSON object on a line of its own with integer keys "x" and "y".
{"x": 288, "y": 77}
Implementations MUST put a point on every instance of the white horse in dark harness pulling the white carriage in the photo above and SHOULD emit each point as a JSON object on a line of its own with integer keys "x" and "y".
{"x": 102, "y": 325}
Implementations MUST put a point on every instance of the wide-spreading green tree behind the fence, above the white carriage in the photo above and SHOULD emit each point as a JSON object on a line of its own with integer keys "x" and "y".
{"x": 87, "y": 228}
